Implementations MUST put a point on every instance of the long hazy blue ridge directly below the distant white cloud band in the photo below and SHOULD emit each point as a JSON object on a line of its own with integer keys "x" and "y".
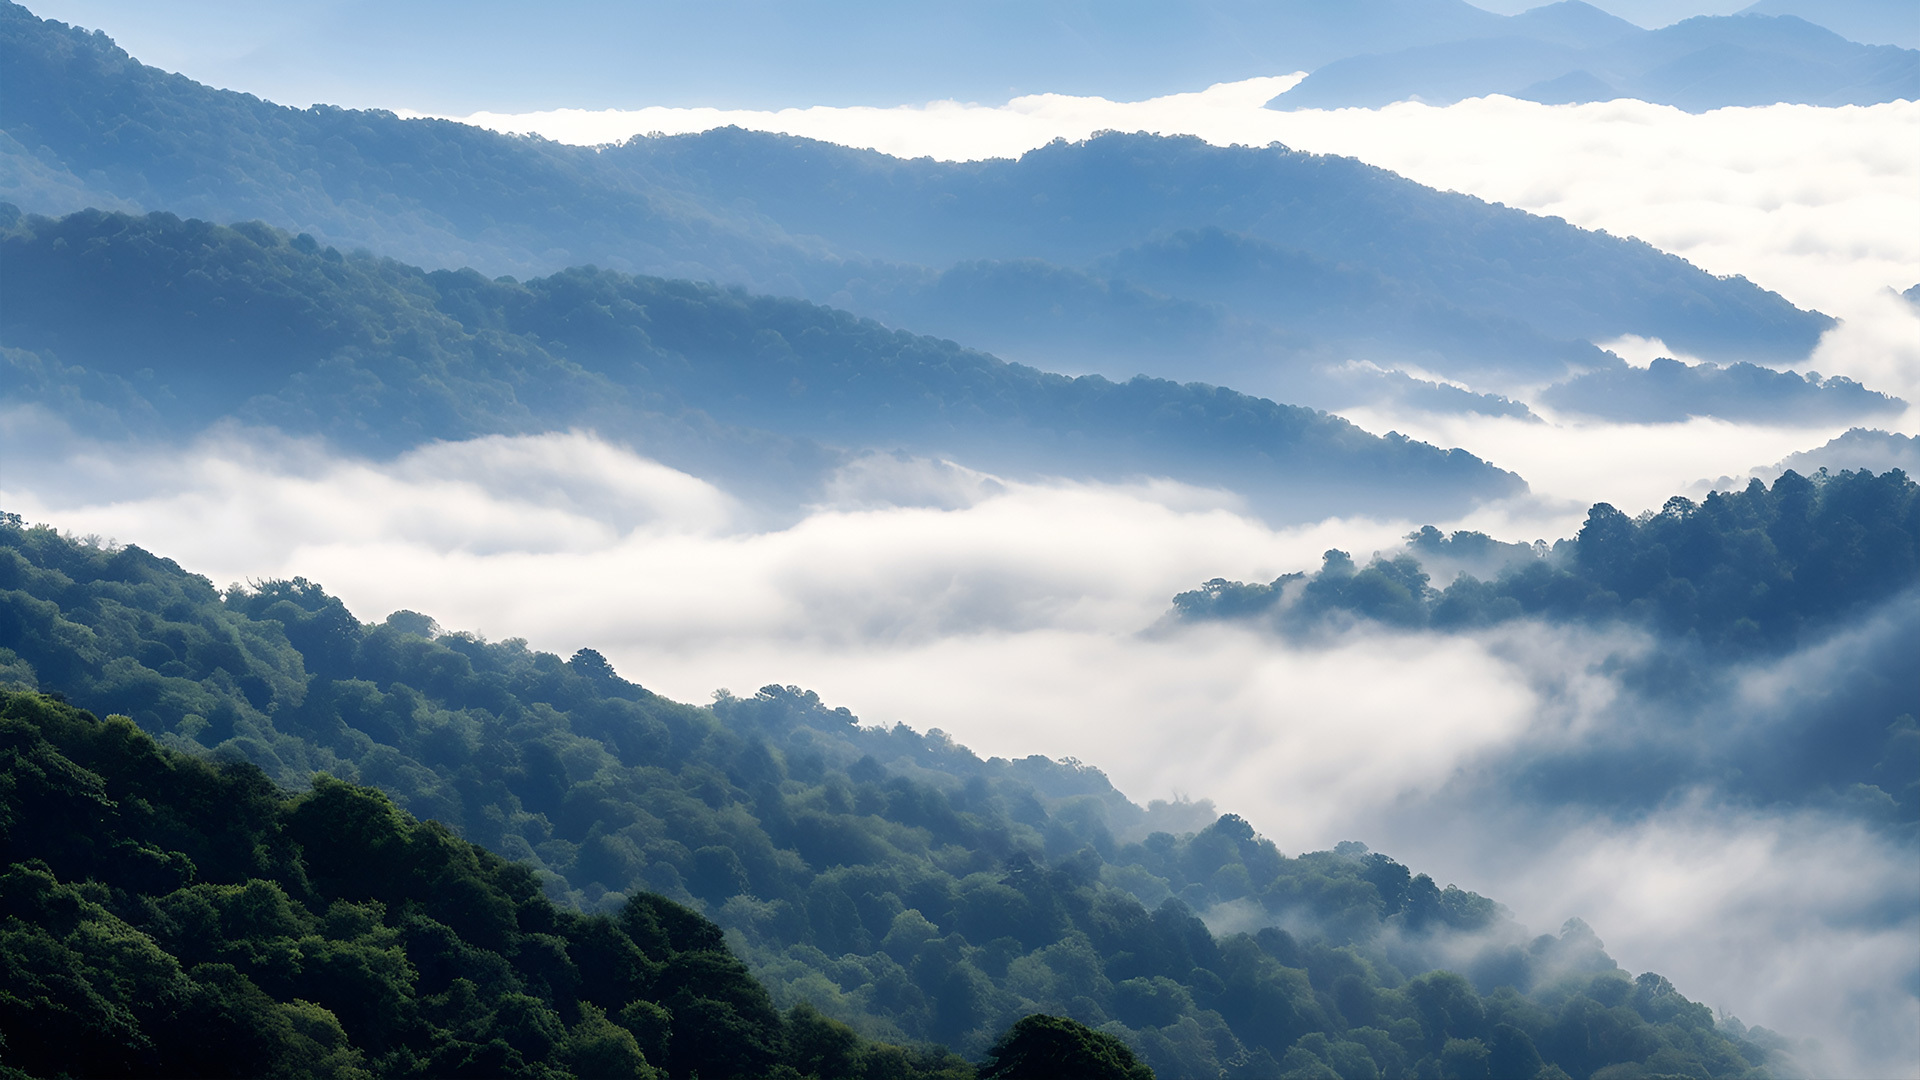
{"x": 1032, "y": 258}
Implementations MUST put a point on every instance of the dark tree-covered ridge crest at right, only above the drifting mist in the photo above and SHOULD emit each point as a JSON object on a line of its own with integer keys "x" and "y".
{"x": 1750, "y": 570}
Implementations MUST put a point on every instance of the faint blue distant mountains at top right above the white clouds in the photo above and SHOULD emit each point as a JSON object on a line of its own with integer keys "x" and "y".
{"x": 1575, "y": 53}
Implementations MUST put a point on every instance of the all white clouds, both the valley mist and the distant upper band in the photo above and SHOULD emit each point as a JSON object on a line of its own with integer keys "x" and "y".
{"x": 1030, "y": 618}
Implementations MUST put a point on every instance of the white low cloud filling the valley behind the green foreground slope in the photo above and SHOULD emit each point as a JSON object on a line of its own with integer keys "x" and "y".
{"x": 1026, "y": 618}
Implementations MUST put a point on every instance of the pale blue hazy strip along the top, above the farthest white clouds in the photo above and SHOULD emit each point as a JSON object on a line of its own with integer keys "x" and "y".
{"x": 491, "y": 55}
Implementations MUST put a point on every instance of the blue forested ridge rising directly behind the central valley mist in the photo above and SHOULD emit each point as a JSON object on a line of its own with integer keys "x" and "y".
{"x": 166, "y": 324}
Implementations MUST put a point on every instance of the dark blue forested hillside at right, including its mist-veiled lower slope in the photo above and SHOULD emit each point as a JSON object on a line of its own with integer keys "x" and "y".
{"x": 1817, "y": 576}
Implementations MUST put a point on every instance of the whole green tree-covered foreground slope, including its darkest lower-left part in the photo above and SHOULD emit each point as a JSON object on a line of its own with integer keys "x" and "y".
{"x": 882, "y": 877}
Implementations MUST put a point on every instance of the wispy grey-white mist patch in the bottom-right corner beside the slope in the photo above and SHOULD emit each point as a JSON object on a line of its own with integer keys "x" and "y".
{"x": 1779, "y": 920}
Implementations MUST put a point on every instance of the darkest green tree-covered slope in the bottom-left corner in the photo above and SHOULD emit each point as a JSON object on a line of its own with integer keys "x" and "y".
{"x": 162, "y": 916}
